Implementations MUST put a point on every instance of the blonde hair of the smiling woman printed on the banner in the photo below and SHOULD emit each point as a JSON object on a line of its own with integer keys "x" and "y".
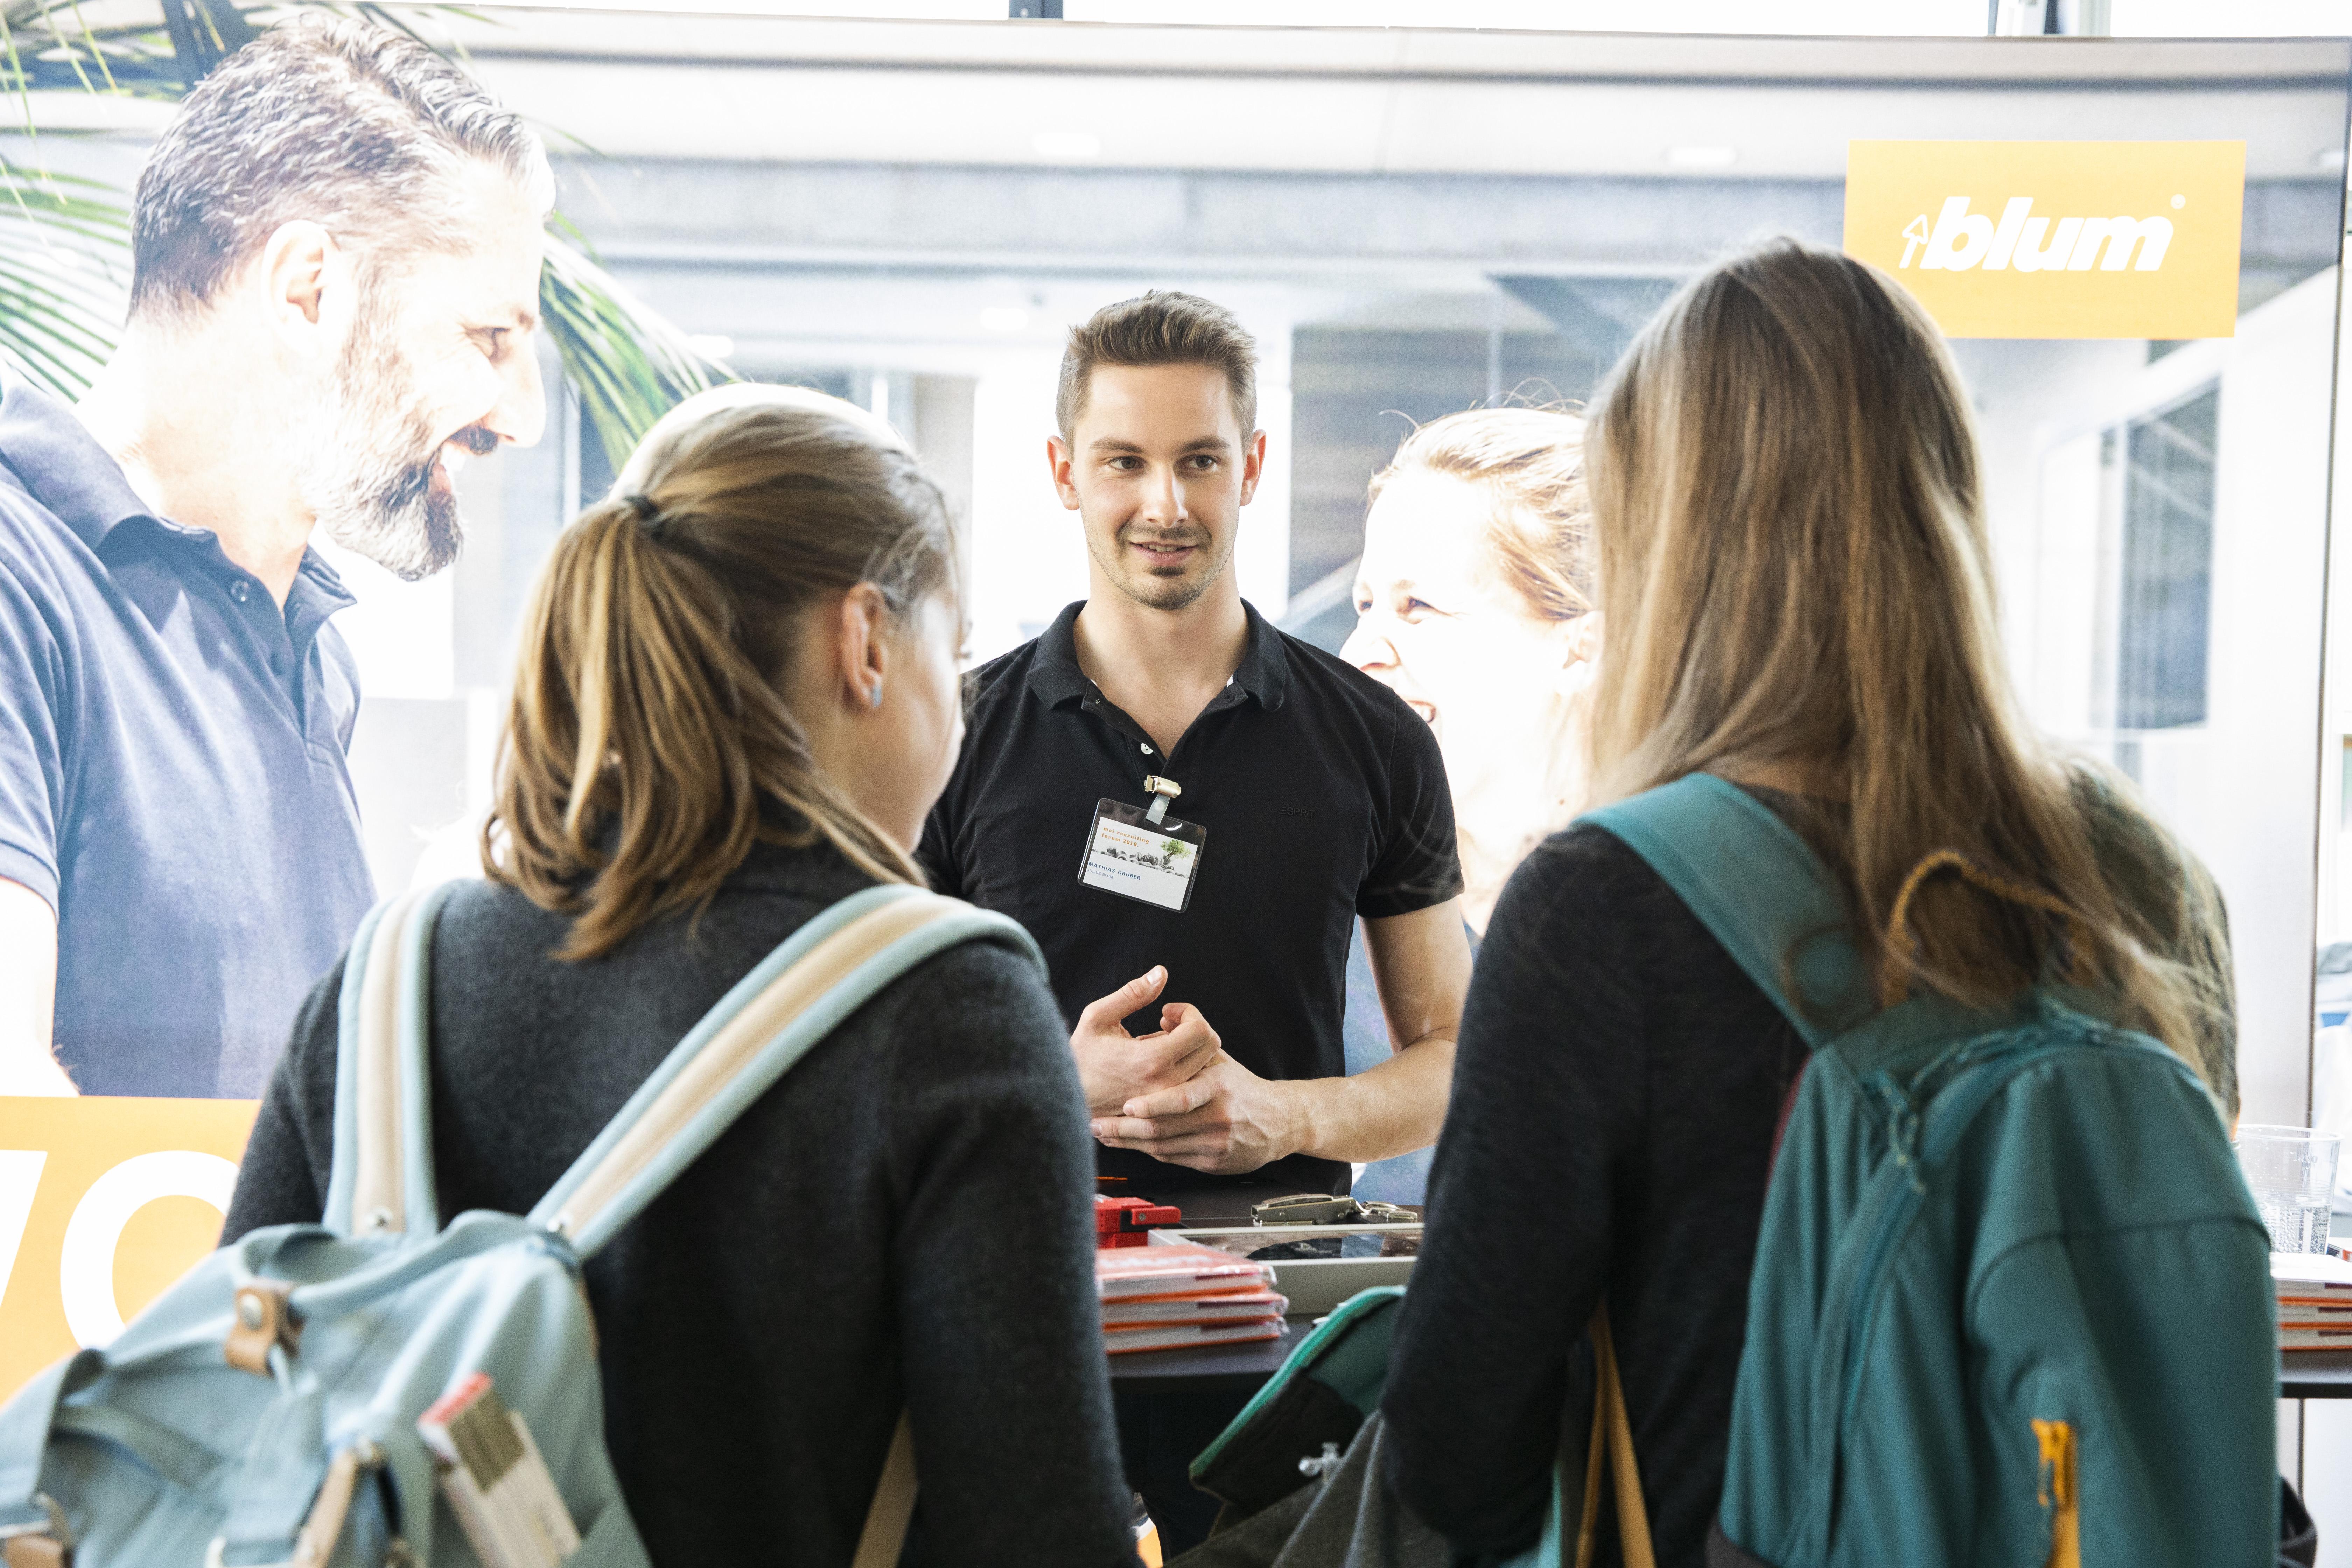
{"x": 1532, "y": 467}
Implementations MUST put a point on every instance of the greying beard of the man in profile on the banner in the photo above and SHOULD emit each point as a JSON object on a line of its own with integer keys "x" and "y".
{"x": 370, "y": 471}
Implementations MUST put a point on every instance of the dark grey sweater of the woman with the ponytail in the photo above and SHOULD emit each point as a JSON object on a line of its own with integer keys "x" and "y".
{"x": 904, "y": 1221}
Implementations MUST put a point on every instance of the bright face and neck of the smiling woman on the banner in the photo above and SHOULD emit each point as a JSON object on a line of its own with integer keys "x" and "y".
{"x": 1504, "y": 688}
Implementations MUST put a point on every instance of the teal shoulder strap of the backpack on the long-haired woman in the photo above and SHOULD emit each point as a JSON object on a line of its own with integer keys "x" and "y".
{"x": 1758, "y": 890}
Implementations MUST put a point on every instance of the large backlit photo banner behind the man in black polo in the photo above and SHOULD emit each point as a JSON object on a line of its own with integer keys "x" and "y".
{"x": 1434, "y": 236}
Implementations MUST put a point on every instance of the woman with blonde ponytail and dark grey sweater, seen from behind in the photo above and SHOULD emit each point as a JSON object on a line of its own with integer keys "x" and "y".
{"x": 737, "y": 699}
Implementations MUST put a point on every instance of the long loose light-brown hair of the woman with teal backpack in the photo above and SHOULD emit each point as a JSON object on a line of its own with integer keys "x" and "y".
{"x": 1798, "y": 579}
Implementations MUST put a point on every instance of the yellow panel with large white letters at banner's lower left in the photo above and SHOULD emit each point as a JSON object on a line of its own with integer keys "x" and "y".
{"x": 102, "y": 1205}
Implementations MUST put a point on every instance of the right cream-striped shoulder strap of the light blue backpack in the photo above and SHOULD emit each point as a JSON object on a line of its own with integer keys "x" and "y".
{"x": 747, "y": 1043}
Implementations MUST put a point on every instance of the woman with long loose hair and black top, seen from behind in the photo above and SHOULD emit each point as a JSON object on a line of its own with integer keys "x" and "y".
{"x": 1796, "y": 587}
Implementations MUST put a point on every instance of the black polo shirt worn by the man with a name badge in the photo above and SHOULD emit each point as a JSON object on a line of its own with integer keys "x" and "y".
{"x": 1323, "y": 796}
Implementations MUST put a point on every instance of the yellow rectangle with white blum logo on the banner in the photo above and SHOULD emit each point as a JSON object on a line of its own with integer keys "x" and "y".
{"x": 2054, "y": 239}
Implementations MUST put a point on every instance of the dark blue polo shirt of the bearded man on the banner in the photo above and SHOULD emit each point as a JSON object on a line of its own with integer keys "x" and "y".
{"x": 173, "y": 772}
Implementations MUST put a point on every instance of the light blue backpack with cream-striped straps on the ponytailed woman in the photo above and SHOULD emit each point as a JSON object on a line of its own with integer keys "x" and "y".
{"x": 265, "y": 1409}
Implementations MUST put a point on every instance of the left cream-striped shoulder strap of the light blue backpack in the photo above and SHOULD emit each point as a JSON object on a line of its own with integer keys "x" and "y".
{"x": 382, "y": 1174}
